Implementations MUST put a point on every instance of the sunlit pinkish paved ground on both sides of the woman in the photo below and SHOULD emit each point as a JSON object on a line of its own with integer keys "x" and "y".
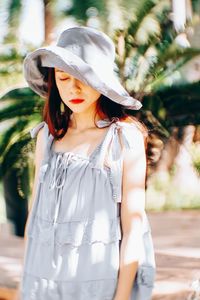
{"x": 177, "y": 244}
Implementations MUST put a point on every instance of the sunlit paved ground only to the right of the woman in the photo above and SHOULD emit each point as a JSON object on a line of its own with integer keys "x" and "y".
{"x": 177, "y": 243}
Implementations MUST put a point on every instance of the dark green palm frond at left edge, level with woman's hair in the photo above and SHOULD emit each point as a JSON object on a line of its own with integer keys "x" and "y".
{"x": 20, "y": 111}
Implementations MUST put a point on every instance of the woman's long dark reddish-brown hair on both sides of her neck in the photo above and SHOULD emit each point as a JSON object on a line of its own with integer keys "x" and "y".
{"x": 58, "y": 120}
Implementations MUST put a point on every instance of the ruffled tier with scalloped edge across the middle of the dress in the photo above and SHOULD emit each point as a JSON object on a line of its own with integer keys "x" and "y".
{"x": 74, "y": 233}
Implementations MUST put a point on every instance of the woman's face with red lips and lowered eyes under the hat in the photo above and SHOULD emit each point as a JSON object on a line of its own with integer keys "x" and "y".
{"x": 70, "y": 88}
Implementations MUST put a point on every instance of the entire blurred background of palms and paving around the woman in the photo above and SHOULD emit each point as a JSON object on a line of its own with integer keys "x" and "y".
{"x": 158, "y": 62}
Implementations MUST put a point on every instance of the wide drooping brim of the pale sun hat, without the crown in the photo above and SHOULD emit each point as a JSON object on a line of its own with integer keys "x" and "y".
{"x": 37, "y": 62}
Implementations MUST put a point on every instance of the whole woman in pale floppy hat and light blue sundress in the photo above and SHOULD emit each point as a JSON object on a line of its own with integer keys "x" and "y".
{"x": 87, "y": 226}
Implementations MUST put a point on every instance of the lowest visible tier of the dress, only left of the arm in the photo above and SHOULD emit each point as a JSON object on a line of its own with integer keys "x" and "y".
{"x": 39, "y": 288}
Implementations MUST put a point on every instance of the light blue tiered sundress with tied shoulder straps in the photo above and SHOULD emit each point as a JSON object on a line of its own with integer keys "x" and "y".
{"x": 74, "y": 231}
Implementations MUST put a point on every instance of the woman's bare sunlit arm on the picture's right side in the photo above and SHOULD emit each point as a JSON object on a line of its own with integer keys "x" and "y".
{"x": 132, "y": 209}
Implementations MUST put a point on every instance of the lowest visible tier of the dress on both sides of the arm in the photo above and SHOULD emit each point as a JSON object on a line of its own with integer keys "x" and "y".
{"x": 99, "y": 289}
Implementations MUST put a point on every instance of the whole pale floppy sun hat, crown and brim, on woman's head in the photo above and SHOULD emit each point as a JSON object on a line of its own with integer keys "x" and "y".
{"x": 85, "y": 53}
